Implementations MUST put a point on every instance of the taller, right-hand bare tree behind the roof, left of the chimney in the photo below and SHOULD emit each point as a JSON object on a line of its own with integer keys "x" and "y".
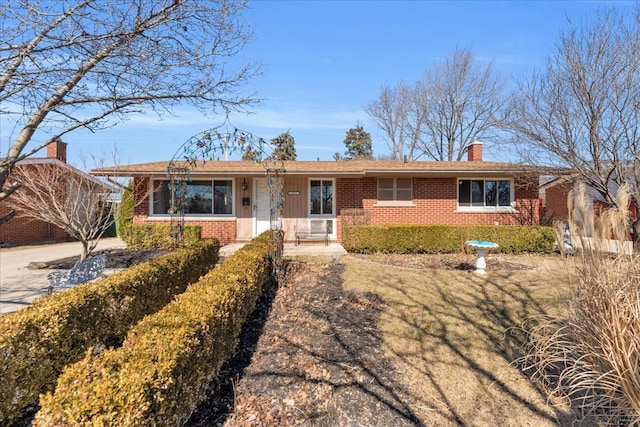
{"x": 457, "y": 102}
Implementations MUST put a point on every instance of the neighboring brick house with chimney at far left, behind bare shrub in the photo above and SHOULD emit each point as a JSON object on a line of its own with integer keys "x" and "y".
{"x": 23, "y": 230}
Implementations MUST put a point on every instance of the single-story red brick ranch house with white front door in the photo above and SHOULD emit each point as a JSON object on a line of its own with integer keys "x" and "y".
{"x": 230, "y": 199}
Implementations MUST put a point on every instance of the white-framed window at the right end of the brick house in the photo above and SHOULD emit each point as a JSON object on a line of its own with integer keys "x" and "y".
{"x": 484, "y": 193}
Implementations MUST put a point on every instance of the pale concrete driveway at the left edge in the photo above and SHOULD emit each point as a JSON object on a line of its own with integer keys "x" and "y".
{"x": 19, "y": 285}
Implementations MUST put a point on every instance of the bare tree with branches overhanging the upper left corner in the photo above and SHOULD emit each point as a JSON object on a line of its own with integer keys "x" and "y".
{"x": 90, "y": 63}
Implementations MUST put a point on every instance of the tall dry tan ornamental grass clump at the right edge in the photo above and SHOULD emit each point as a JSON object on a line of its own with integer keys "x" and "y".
{"x": 592, "y": 356}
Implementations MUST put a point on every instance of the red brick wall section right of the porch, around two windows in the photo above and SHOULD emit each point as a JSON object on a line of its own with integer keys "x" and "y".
{"x": 435, "y": 201}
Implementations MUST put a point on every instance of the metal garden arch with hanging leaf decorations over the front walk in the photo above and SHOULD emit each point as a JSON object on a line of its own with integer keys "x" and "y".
{"x": 209, "y": 146}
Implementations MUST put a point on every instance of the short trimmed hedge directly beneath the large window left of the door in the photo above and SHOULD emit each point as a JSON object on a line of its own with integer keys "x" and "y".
{"x": 157, "y": 236}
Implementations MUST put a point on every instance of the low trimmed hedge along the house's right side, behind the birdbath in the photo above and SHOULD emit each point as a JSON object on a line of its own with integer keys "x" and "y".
{"x": 432, "y": 239}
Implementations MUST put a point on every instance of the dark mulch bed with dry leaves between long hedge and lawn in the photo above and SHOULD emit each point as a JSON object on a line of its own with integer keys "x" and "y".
{"x": 310, "y": 355}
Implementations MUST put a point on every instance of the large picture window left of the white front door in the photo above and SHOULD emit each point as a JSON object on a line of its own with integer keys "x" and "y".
{"x": 202, "y": 198}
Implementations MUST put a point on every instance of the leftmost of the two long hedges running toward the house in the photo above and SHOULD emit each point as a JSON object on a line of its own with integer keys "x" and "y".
{"x": 38, "y": 341}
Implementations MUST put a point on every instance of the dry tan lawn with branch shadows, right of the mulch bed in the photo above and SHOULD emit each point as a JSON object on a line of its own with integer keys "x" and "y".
{"x": 453, "y": 337}
